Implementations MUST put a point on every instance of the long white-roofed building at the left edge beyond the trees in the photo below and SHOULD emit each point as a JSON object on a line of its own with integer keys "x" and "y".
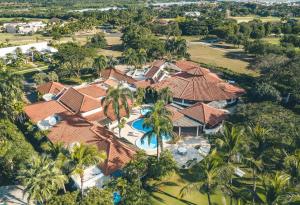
{"x": 26, "y": 49}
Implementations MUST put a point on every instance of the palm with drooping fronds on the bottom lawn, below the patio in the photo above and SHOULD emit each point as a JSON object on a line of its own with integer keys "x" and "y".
{"x": 212, "y": 172}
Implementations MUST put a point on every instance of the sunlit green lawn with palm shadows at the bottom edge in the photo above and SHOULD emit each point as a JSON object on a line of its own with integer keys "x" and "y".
{"x": 169, "y": 194}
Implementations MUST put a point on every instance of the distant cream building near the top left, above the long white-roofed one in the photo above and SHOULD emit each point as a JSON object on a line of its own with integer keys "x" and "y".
{"x": 24, "y": 28}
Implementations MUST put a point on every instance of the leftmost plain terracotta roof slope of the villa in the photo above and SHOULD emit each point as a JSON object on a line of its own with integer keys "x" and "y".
{"x": 41, "y": 110}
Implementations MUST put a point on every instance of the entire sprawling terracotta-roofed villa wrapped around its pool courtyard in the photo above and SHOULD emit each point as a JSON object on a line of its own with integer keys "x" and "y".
{"x": 74, "y": 114}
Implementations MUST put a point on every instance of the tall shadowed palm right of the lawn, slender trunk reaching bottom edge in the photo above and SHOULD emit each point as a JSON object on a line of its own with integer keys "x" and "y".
{"x": 258, "y": 146}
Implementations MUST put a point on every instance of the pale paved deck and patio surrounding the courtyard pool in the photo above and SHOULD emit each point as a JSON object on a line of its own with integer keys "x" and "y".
{"x": 132, "y": 135}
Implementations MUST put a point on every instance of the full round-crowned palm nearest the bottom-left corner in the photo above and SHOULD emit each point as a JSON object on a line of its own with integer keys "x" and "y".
{"x": 41, "y": 179}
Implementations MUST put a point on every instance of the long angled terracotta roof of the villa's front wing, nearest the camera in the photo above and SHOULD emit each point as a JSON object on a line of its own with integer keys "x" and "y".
{"x": 75, "y": 129}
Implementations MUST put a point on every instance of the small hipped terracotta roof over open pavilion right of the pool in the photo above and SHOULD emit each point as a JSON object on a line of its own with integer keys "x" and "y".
{"x": 205, "y": 114}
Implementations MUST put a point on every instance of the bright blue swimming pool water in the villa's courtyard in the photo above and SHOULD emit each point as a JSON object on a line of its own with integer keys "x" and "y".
{"x": 144, "y": 144}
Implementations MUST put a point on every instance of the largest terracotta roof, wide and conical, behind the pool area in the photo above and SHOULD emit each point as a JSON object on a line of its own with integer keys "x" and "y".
{"x": 199, "y": 84}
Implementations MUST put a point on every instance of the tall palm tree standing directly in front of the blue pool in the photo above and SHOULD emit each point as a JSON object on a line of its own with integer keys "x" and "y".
{"x": 159, "y": 120}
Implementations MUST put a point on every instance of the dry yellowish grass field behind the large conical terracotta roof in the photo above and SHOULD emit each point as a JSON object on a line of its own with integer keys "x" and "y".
{"x": 212, "y": 56}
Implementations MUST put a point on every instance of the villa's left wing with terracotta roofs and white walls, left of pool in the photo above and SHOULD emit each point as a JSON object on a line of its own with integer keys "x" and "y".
{"x": 74, "y": 116}
